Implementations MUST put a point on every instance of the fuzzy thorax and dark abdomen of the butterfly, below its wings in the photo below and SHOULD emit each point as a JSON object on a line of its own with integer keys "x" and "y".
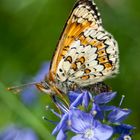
{"x": 56, "y": 88}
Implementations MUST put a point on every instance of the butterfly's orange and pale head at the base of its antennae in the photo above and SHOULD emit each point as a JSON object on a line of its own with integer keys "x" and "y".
{"x": 44, "y": 87}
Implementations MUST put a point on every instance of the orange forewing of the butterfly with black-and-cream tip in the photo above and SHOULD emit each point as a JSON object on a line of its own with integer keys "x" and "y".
{"x": 74, "y": 27}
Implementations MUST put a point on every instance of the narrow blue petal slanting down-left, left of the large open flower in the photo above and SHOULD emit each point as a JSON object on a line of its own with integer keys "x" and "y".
{"x": 62, "y": 123}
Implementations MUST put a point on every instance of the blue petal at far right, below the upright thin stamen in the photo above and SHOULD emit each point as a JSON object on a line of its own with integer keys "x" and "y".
{"x": 118, "y": 115}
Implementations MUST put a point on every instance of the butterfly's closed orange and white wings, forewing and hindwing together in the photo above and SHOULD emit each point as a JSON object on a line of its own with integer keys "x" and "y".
{"x": 86, "y": 53}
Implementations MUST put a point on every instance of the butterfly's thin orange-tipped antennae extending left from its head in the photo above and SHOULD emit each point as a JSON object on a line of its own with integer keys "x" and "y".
{"x": 17, "y": 89}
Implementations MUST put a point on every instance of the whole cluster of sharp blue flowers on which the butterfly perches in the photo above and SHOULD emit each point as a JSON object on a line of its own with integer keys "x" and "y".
{"x": 91, "y": 117}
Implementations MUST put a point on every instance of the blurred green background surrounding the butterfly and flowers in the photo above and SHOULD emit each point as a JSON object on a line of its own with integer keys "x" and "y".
{"x": 29, "y": 31}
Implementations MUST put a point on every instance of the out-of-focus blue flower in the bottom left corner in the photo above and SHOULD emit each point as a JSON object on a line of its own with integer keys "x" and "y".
{"x": 16, "y": 133}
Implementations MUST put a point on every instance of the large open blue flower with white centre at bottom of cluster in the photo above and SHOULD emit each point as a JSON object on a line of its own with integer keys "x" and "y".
{"x": 86, "y": 128}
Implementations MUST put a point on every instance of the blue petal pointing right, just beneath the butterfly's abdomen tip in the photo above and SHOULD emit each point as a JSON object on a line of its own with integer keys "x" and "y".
{"x": 104, "y": 97}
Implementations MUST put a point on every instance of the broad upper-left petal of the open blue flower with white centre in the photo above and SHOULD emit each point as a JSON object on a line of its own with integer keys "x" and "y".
{"x": 80, "y": 121}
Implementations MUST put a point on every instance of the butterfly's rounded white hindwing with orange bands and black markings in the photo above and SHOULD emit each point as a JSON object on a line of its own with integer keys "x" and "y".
{"x": 90, "y": 63}
